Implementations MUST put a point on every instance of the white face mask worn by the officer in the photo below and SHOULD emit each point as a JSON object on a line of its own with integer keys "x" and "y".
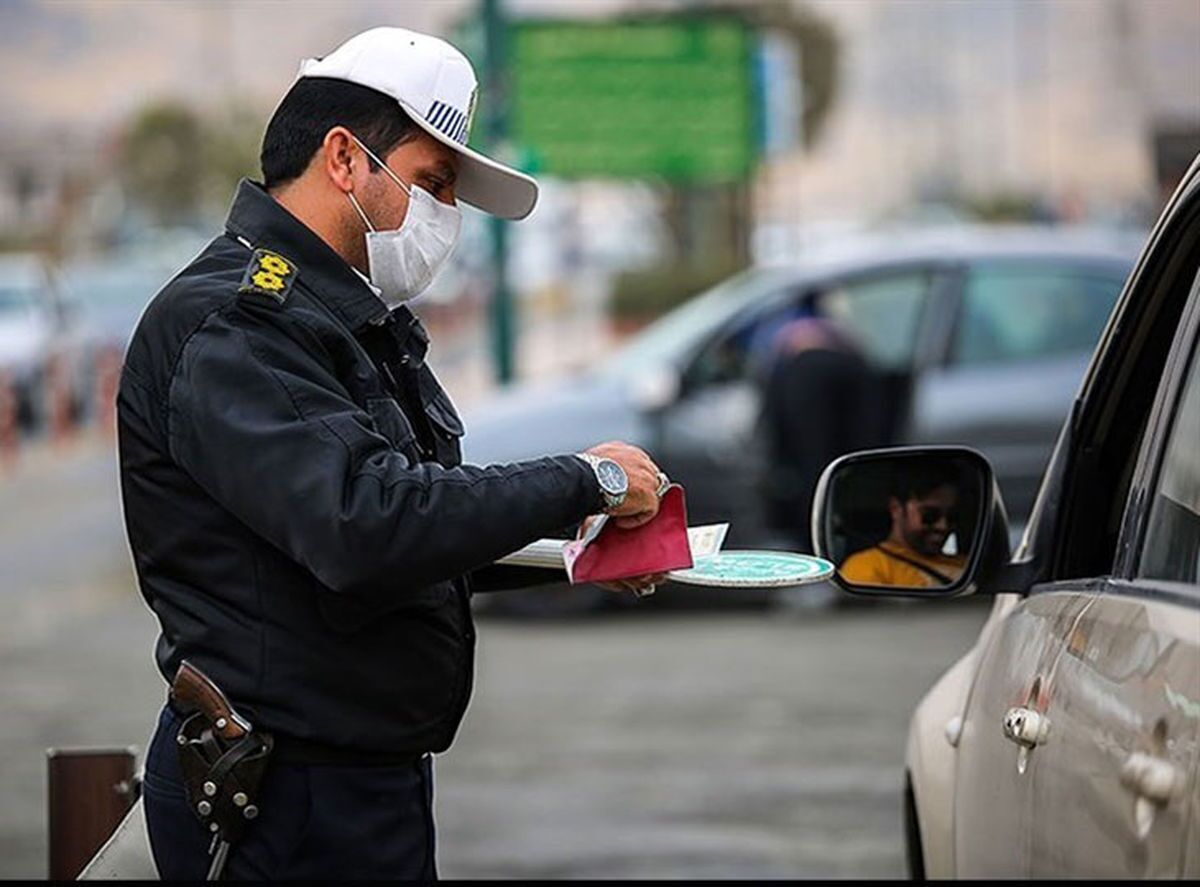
{"x": 404, "y": 262}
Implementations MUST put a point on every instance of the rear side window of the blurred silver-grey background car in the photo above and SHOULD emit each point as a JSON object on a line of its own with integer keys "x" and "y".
{"x": 1018, "y": 314}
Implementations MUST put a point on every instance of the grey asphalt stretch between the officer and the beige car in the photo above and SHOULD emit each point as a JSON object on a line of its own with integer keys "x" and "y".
{"x": 764, "y": 745}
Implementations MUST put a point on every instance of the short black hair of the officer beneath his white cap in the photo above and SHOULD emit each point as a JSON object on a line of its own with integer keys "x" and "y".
{"x": 315, "y": 106}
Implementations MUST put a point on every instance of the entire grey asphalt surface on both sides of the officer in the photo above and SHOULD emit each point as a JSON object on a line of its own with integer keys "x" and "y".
{"x": 759, "y": 744}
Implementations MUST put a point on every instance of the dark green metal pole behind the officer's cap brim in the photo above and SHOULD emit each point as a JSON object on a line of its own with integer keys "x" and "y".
{"x": 497, "y": 131}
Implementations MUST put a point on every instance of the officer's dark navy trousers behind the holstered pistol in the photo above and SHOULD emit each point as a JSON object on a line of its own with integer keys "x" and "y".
{"x": 317, "y": 822}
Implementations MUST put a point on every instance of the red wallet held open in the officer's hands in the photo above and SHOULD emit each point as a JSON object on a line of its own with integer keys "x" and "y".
{"x": 614, "y": 554}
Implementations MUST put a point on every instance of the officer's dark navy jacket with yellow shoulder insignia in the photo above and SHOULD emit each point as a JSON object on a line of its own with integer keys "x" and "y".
{"x": 298, "y": 514}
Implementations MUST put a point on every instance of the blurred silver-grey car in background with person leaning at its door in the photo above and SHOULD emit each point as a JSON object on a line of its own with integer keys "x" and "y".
{"x": 982, "y": 337}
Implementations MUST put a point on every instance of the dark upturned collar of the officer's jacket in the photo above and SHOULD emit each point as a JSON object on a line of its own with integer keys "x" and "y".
{"x": 261, "y": 219}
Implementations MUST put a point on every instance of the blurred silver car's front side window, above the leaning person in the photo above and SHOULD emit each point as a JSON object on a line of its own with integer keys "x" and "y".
{"x": 884, "y": 313}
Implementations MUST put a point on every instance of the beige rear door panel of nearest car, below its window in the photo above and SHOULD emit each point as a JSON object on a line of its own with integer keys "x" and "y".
{"x": 1123, "y": 699}
